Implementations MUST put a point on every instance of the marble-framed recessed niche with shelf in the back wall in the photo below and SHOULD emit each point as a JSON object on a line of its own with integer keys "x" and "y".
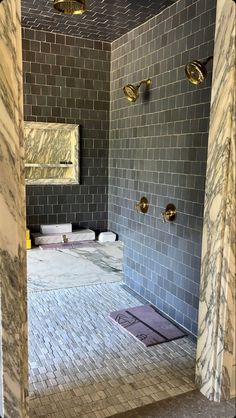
{"x": 51, "y": 153}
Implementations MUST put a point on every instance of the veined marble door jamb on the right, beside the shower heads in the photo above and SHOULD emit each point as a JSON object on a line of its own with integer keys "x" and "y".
{"x": 216, "y": 340}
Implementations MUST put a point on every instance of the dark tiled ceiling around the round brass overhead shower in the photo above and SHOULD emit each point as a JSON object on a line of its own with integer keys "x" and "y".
{"x": 105, "y": 20}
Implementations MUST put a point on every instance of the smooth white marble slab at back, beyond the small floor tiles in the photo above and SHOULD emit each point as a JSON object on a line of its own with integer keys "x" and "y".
{"x": 72, "y": 267}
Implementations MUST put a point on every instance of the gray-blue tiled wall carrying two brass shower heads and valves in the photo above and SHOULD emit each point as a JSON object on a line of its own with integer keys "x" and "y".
{"x": 158, "y": 149}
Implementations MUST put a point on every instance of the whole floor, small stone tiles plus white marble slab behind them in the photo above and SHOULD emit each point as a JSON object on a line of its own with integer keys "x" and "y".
{"x": 81, "y": 363}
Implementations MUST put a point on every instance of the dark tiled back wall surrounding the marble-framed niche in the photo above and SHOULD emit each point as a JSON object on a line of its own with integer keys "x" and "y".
{"x": 67, "y": 80}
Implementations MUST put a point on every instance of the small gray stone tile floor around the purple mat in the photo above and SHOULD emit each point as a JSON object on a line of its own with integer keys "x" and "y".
{"x": 84, "y": 365}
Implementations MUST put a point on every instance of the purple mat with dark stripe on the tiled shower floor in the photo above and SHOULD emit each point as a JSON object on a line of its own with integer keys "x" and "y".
{"x": 147, "y": 325}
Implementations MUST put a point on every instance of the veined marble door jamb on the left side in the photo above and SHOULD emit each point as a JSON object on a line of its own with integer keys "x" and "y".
{"x": 14, "y": 361}
